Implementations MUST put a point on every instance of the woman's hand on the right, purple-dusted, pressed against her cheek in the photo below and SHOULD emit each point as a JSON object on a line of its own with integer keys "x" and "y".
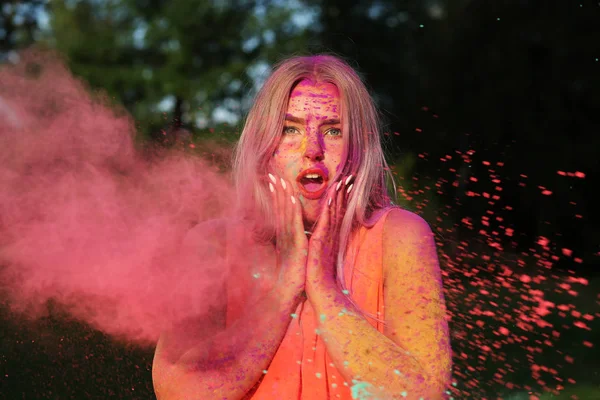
{"x": 324, "y": 242}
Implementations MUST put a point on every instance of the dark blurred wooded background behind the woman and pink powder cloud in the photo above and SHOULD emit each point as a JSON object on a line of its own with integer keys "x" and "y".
{"x": 479, "y": 99}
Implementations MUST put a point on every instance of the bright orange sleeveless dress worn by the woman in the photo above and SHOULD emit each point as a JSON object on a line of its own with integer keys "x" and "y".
{"x": 301, "y": 368}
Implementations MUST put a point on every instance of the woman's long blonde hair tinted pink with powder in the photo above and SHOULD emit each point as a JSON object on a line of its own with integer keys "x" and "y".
{"x": 363, "y": 153}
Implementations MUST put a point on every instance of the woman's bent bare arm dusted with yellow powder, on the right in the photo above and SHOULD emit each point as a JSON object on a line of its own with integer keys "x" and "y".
{"x": 412, "y": 360}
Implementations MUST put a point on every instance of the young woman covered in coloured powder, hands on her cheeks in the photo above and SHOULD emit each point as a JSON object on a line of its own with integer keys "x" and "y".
{"x": 354, "y": 305}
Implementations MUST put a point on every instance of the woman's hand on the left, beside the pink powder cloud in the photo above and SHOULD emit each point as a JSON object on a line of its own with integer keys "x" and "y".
{"x": 292, "y": 245}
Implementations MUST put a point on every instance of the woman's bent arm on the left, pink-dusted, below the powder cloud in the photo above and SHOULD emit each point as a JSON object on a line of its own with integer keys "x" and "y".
{"x": 229, "y": 363}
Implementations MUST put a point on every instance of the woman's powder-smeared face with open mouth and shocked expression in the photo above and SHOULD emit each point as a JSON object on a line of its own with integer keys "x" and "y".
{"x": 311, "y": 146}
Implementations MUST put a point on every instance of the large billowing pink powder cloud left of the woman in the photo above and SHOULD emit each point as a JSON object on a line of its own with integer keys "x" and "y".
{"x": 93, "y": 223}
